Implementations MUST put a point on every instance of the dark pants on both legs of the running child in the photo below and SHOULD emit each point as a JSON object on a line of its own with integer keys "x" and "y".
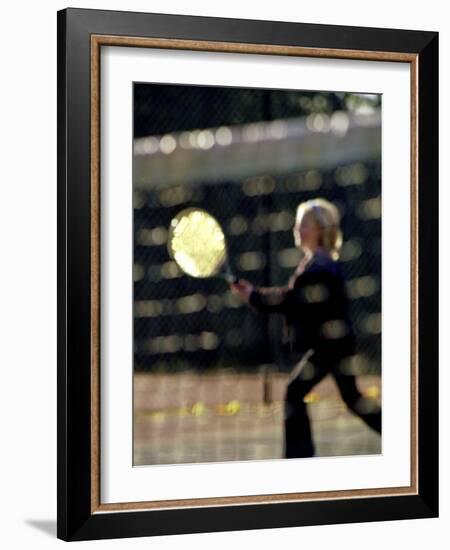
{"x": 309, "y": 372}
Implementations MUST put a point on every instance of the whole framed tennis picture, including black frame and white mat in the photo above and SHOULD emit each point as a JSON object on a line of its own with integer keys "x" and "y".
{"x": 247, "y": 271}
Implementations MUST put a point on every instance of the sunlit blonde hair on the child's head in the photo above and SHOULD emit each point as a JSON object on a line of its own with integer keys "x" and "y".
{"x": 326, "y": 215}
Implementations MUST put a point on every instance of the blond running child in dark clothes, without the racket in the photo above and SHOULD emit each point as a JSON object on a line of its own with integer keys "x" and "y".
{"x": 317, "y": 322}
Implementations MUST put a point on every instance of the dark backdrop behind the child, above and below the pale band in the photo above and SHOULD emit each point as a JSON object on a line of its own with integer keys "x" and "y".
{"x": 186, "y": 323}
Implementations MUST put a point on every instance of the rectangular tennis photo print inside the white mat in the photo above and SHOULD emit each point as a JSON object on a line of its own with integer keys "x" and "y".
{"x": 256, "y": 274}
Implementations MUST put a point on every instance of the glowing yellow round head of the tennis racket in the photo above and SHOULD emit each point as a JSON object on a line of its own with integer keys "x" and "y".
{"x": 197, "y": 243}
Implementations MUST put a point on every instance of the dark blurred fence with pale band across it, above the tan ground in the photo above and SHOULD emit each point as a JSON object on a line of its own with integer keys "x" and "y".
{"x": 248, "y": 157}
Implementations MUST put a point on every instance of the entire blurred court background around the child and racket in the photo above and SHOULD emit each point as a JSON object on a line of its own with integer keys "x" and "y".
{"x": 209, "y": 373}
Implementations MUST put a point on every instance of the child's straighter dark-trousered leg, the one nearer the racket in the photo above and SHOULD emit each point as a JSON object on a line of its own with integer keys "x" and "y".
{"x": 298, "y": 442}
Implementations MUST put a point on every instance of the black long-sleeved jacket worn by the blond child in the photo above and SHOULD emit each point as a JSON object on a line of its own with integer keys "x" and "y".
{"x": 315, "y": 307}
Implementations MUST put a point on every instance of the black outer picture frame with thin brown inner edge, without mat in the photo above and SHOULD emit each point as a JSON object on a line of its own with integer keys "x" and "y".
{"x": 79, "y": 516}
